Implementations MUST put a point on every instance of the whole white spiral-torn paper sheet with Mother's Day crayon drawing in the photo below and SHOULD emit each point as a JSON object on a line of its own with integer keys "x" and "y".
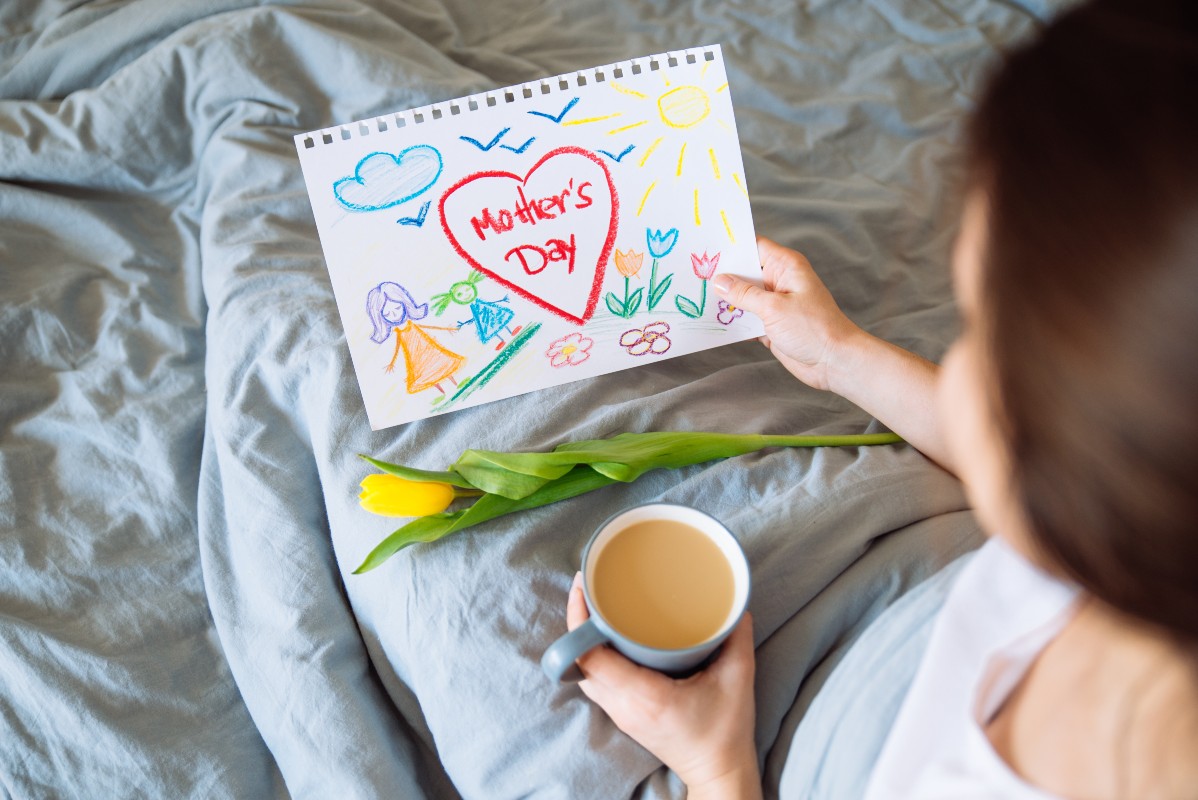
{"x": 535, "y": 235}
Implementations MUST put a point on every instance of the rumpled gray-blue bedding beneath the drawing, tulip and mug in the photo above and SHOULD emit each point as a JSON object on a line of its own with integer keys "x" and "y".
{"x": 179, "y": 419}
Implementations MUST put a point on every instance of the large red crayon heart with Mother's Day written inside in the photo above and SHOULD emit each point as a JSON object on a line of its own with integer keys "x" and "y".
{"x": 547, "y": 237}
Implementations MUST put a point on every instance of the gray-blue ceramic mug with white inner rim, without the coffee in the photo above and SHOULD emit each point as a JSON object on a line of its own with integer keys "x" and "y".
{"x": 560, "y": 658}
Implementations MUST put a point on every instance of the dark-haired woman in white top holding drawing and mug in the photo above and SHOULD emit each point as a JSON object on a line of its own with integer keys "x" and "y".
{"x": 1064, "y": 662}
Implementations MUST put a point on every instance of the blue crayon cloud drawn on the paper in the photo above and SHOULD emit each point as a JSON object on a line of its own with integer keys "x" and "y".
{"x": 382, "y": 180}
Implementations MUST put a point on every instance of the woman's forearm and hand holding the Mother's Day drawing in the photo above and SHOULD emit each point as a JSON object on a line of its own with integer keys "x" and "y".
{"x": 813, "y": 338}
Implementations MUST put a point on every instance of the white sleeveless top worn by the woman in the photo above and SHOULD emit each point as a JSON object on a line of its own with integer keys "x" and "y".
{"x": 1000, "y": 615}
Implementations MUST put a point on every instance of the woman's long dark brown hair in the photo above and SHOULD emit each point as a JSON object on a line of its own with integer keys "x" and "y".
{"x": 1087, "y": 148}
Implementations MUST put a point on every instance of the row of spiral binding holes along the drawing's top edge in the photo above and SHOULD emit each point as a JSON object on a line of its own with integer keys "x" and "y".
{"x": 521, "y": 93}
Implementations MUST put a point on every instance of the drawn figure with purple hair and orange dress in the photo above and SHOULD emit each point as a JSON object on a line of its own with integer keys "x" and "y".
{"x": 392, "y": 310}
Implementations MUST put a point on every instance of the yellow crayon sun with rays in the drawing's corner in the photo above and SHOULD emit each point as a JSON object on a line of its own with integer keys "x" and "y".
{"x": 683, "y": 112}
